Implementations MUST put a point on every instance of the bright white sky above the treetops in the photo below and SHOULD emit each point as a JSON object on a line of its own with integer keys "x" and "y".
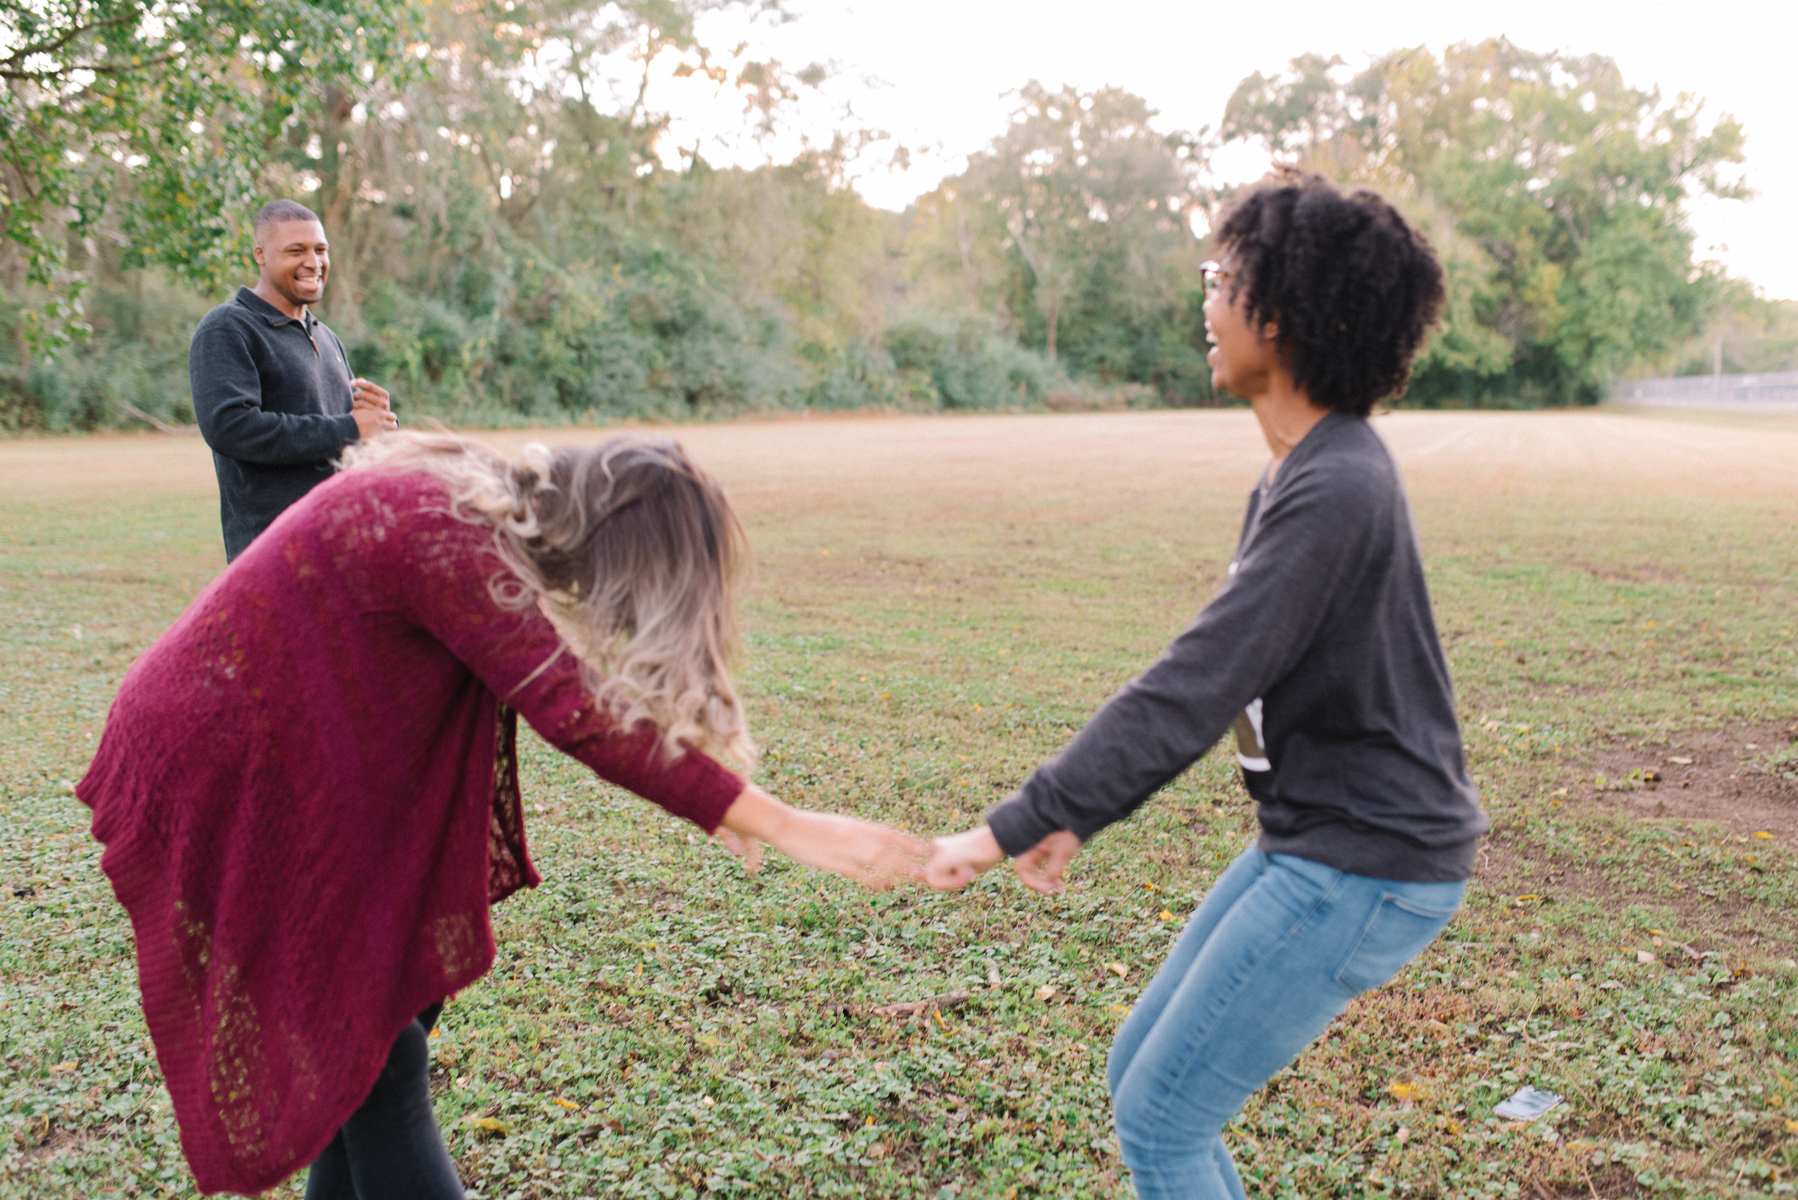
{"x": 936, "y": 75}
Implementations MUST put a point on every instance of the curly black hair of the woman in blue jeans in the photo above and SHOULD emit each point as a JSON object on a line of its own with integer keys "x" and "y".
{"x": 1349, "y": 283}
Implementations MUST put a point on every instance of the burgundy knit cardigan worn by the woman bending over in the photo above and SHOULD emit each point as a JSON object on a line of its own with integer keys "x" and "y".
{"x": 308, "y": 798}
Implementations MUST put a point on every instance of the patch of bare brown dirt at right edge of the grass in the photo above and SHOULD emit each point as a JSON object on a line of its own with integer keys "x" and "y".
{"x": 1704, "y": 775}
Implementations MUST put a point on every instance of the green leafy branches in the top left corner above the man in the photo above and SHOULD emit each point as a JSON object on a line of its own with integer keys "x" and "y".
{"x": 166, "y": 112}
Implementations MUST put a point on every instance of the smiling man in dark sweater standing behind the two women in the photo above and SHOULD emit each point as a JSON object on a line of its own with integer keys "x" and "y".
{"x": 274, "y": 393}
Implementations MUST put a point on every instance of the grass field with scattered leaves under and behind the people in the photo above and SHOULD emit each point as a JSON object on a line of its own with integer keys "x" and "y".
{"x": 939, "y": 604}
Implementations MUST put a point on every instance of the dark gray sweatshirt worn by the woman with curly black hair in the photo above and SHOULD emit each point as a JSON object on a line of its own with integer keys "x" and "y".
{"x": 1322, "y": 652}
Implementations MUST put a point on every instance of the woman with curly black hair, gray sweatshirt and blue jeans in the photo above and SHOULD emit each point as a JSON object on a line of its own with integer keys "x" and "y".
{"x": 1322, "y": 654}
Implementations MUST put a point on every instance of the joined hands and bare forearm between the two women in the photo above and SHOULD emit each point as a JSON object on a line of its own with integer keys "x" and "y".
{"x": 878, "y": 855}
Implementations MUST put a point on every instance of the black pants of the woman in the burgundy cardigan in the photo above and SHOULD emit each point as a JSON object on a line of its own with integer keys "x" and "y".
{"x": 391, "y": 1147}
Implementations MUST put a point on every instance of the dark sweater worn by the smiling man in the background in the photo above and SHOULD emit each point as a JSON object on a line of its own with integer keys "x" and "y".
{"x": 272, "y": 400}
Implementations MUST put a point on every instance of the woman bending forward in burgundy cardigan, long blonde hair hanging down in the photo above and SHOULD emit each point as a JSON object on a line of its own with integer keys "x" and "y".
{"x": 308, "y": 787}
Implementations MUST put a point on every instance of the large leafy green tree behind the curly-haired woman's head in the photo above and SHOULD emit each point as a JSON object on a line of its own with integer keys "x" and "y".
{"x": 1556, "y": 192}
